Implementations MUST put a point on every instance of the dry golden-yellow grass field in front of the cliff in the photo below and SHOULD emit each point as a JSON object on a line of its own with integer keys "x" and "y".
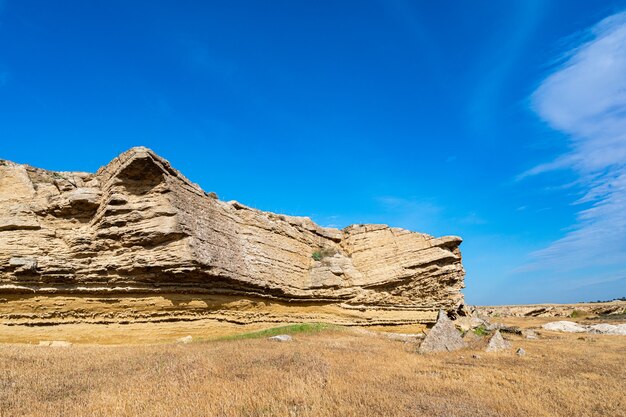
{"x": 335, "y": 373}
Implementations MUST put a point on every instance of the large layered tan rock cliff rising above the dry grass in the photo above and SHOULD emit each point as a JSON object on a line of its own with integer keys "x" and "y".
{"x": 137, "y": 241}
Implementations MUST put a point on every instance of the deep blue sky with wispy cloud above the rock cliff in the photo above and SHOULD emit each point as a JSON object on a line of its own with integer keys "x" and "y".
{"x": 501, "y": 122}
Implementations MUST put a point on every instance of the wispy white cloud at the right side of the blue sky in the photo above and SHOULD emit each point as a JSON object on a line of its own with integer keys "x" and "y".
{"x": 586, "y": 99}
